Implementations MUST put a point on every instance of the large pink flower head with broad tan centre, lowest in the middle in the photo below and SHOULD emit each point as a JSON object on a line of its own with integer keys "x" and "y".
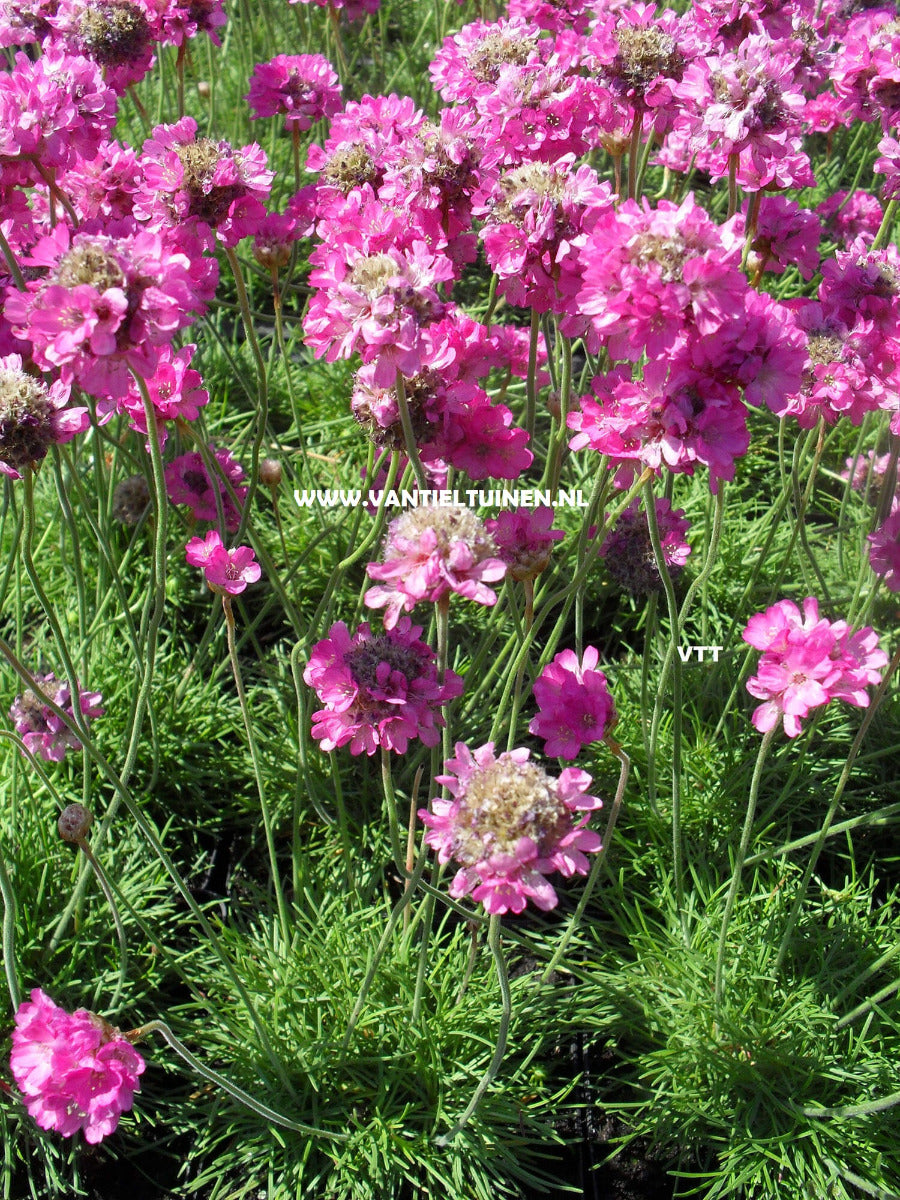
{"x": 508, "y": 826}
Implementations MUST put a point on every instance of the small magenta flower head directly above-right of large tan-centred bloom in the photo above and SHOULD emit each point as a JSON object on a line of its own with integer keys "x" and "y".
{"x": 574, "y": 704}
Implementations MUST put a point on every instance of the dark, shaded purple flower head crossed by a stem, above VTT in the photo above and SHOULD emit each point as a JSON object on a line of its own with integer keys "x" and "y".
{"x": 629, "y": 554}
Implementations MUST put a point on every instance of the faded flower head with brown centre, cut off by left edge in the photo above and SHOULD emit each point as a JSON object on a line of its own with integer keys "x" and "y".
{"x": 33, "y": 417}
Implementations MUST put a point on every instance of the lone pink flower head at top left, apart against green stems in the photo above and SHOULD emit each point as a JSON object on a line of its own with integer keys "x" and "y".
{"x": 303, "y": 87}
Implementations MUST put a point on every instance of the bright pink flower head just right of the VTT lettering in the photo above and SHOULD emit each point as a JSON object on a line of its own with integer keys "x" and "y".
{"x": 807, "y": 663}
